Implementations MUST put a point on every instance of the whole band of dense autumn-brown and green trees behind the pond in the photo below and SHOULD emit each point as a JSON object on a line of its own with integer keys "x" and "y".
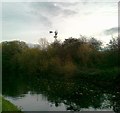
{"x": 73, "y": 58}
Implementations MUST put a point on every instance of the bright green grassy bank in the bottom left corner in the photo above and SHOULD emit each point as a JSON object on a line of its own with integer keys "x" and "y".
{"x": 8, "y": 106}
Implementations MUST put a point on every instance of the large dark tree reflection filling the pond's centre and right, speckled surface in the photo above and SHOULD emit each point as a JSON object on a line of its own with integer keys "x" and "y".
{"x": 73, "y": 94}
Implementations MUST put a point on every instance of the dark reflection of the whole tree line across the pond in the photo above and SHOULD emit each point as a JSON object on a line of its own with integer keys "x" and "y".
{"x": 74, "y": 94}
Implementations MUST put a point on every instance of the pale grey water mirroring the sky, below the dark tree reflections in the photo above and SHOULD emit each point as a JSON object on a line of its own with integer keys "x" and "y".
{"x": 37, "y": 102}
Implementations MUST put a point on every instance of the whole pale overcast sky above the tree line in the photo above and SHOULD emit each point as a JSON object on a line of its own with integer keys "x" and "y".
{"x": 29, "y": 21}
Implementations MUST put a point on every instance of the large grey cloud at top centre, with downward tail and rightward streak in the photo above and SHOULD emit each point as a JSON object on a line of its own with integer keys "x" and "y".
{"x": 45, "y": 11}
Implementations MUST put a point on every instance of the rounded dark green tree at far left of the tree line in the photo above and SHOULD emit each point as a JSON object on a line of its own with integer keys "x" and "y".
{"x": 9, "y": 52}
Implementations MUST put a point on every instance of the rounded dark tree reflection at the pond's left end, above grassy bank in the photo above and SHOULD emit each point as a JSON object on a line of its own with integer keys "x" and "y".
{"x": 14, "y": 86}
